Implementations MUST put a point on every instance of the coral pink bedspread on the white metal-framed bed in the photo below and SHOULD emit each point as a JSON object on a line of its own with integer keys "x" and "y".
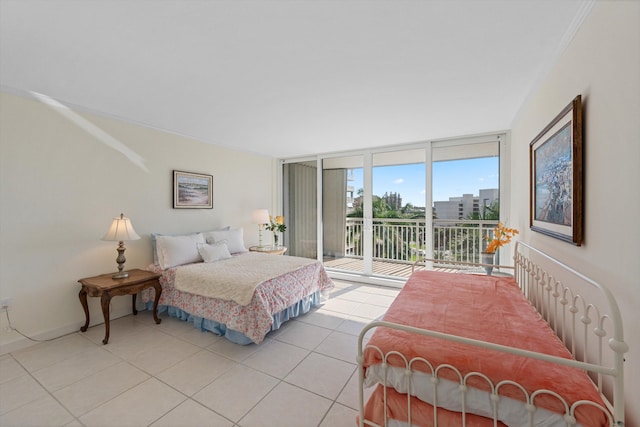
{"x": 490, "y": 309}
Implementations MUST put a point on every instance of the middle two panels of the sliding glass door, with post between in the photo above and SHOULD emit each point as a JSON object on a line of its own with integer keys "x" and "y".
{"x": 377, "y": 228}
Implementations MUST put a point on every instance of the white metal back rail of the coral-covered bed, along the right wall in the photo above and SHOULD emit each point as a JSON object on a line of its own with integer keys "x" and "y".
{"x": 574, "y": 317}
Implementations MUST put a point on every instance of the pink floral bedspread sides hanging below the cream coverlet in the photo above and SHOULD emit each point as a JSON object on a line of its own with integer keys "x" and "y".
{"x": 253, "y": 320}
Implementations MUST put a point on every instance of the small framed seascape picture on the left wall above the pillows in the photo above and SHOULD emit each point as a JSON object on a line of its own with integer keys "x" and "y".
{"x": 192, "y": 190}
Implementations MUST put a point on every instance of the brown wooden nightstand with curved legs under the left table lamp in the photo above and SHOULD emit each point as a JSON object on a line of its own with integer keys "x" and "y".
{"x": 105, "y": 286}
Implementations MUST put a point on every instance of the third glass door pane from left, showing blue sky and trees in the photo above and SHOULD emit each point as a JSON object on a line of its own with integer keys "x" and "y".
{"x": 398, "y": 199}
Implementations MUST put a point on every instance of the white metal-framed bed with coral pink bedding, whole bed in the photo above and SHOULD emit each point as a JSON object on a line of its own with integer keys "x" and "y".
{"x": 543, "y": 348}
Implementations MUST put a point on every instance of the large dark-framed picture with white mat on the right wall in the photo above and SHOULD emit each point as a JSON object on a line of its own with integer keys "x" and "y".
{"x": 556, "y": 176}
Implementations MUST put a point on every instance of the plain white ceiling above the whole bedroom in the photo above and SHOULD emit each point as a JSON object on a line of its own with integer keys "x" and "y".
{"x": 289, "y": 78}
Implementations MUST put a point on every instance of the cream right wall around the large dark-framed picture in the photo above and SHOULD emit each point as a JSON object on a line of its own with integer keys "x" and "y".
{"x": 603, "y": 64}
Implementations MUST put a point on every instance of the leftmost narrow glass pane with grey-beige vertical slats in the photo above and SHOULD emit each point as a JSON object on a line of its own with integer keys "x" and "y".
{"x": 300, "y": 187}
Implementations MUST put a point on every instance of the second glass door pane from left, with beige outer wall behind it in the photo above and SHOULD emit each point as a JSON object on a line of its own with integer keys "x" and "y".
{"x": 342, "y": 222}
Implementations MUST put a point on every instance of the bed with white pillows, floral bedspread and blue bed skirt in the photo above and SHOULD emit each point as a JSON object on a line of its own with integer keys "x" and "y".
{"x": 211, "y": 280}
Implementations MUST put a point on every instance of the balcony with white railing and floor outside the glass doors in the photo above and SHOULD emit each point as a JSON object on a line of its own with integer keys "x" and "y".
{"x": 398, "y": 243}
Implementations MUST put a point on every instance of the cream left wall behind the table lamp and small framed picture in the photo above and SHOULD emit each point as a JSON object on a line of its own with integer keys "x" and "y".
{"x": 60, "y": 187}
